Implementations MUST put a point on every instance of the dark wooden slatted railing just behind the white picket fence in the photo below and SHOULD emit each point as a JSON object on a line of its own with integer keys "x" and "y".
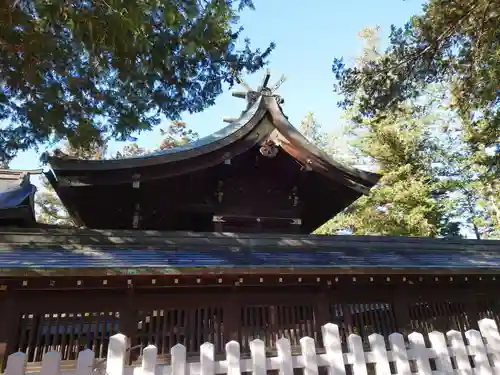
{"x": 191, "y": 326}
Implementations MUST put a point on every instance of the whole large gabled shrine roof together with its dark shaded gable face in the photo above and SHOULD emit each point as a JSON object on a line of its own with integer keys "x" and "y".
{"x": 190, "y": 176}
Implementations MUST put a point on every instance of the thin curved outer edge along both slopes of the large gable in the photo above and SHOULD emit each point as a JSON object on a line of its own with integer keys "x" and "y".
{"x": 298, "y": 146}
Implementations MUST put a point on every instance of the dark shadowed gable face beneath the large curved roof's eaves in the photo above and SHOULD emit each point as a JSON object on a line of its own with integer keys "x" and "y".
{"x": 252, "y": 186}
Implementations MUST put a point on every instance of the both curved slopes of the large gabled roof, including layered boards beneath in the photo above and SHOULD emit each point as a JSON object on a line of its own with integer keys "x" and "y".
{"x": 241, "y": 135}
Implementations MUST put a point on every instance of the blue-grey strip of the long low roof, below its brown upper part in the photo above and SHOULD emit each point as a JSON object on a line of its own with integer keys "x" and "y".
{"x": 189, "y": 258}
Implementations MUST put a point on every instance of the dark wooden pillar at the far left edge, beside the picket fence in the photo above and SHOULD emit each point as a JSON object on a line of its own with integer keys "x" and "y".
{"x": 9, "y": 326}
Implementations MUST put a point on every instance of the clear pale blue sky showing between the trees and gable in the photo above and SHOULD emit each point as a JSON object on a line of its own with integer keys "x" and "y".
{"x": 308, "y": 36}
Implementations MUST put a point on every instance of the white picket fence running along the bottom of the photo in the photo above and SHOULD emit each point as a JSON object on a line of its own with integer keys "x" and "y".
{"x": 449, "y": 353}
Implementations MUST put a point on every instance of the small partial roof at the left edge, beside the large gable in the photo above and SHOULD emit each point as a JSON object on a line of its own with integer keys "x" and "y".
{"x": 16, "y": 196}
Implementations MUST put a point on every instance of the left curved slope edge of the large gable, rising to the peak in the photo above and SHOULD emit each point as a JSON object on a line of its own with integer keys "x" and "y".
{"x": 210, "y": 143}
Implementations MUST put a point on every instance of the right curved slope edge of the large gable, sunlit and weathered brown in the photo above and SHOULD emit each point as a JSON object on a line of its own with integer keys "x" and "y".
{"x": 368, "y": 179}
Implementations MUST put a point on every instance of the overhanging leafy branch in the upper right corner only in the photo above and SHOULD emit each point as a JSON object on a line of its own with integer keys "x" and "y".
{"x": 455, "y": 42}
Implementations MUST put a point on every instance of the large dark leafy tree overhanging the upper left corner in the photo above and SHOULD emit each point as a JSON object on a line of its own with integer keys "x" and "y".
{"x": 85, "y": 71}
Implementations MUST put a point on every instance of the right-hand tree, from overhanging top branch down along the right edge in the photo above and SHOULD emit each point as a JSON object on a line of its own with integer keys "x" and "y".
{"x": 454, "y": 44}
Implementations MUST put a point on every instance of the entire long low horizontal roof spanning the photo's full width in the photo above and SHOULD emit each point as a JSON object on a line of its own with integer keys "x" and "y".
{"x": 77, "y": 252}
